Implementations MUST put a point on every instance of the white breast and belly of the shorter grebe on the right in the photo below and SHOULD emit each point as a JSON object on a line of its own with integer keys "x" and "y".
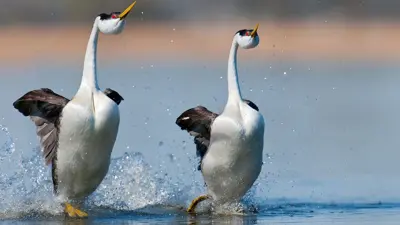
{"x": 234, "y": 159}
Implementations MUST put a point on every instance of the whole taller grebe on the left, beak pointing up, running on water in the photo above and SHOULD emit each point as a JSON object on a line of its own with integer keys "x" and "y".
{"x": 81, "y": 140}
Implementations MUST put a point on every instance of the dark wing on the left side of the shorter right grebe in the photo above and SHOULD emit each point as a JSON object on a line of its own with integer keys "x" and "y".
{"x": 197, "y": 121}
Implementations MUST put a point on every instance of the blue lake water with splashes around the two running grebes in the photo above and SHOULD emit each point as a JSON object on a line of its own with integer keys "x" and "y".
{"x": 331, "y": 143}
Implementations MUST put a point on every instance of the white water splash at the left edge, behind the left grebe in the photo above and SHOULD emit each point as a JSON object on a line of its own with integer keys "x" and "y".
{"x": 24, "y": 182}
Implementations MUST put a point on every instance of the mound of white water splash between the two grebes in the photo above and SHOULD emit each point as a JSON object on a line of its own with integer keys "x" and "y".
{"x": 133, "y": 184}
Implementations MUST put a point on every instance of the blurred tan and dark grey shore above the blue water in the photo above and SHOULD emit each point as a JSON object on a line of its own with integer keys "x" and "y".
{"x": 335, "y": 29}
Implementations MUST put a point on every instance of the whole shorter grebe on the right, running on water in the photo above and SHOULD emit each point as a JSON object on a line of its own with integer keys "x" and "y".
{"x": 231, "y": 143}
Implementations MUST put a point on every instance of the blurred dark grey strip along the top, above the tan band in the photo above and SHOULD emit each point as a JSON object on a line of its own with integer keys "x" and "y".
{"x": 67, "y": 11}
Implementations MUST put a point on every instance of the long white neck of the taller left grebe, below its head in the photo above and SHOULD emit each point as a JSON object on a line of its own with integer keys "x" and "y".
{"x": 89, "y": 77}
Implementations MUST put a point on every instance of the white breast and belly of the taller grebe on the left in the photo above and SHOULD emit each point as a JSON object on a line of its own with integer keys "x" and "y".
{"x": 86, "y": 141}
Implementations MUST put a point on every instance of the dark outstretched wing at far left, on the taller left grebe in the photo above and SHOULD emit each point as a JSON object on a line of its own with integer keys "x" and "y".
{"x": 44, "y": 107}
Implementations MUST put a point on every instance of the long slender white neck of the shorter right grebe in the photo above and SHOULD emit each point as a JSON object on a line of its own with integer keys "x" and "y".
{"x": 233, "y": 80}
